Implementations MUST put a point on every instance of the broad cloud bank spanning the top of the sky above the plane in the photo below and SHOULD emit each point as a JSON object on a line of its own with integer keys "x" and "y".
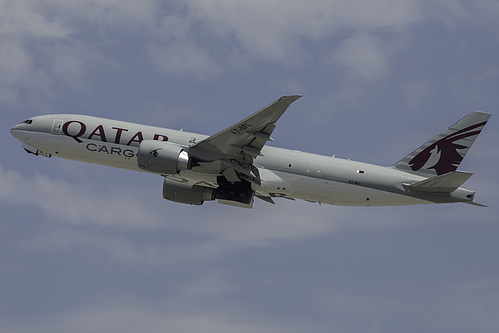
{"x": 205, "y": 38}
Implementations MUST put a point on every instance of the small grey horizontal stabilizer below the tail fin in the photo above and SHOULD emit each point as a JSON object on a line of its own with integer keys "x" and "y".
{"x": 448, "y": 182}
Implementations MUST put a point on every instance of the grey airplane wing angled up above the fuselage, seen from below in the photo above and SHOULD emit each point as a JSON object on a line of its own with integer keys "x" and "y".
{"x": 237, "y": 146}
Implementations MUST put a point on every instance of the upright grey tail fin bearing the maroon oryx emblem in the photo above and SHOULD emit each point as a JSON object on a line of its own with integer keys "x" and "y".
{"x": 444, "y": 153}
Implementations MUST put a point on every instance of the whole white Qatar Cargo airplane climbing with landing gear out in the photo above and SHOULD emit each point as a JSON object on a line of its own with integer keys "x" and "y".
{"x": 235, "y": 165}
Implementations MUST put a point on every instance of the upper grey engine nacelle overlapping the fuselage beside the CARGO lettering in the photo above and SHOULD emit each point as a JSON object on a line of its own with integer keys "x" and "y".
{"x": 162, "y": 157}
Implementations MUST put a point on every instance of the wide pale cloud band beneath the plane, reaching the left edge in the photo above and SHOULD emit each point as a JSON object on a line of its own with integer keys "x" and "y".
{"x": 78, "y": 205}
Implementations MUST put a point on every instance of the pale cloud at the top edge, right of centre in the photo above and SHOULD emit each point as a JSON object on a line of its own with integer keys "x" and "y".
{"x": 273, "y": 31}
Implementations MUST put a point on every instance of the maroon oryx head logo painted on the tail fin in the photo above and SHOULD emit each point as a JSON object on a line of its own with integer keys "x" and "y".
{"x": 443, "y": 155}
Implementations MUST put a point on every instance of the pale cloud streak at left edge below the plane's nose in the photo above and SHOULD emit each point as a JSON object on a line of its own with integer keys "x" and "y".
{"x": 76, "y": 203}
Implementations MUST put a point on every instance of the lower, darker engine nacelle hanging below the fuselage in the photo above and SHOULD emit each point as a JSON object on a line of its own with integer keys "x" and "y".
{"x": 187, "y": 194}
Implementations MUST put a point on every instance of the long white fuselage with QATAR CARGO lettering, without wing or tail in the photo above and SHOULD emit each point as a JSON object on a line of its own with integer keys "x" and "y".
{"x": 284, "y": 173}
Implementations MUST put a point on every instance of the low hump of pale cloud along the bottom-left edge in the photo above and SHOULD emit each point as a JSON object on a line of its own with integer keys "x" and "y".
{"x": 128, "y": 314}
